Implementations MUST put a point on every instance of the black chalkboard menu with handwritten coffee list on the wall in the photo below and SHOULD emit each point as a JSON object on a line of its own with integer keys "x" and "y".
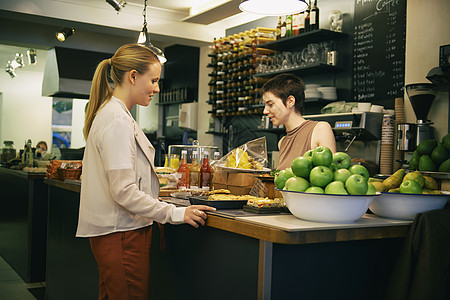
{"x": 379, "y": 50}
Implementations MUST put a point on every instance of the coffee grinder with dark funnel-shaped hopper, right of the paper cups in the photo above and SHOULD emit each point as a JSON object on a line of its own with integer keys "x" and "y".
{"x": 409, "y": 135}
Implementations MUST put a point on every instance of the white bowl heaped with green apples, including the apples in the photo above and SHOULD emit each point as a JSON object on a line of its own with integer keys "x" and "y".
{"x": 324, "y": 187}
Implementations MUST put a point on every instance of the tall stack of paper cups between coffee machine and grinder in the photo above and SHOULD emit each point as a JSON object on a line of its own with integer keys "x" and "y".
{"x": 387, "y": 145}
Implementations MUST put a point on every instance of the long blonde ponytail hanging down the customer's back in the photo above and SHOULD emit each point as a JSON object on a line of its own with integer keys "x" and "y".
{"x": 100, "y": 92}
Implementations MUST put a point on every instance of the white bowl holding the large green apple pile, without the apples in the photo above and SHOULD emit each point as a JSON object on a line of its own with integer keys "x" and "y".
{"x": 327, "y": 208}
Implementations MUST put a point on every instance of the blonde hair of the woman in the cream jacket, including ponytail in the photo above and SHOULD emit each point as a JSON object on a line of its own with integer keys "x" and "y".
{"x": 128, "y": 57}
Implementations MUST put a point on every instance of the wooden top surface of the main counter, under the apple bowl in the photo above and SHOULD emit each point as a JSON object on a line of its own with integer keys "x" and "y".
{"x": 285, "y": 228}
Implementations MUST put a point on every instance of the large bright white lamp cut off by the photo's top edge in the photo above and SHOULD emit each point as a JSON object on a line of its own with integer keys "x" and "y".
{"x": 273, "y": 8}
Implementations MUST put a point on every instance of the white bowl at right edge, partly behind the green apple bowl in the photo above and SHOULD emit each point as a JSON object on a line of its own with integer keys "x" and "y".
{"x": 406, "y": 206}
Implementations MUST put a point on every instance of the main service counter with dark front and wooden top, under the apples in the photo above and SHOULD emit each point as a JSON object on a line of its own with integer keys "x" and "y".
{"x": 241, "y": 256}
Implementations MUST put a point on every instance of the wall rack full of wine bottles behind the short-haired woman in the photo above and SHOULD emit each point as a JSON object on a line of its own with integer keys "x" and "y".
{"x": 234, "y": 88}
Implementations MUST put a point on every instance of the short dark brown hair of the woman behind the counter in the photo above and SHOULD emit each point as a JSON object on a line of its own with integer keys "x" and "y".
{"x": 285, "y": 85}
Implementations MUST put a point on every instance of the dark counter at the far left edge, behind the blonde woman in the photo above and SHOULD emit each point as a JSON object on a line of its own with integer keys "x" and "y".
{"x": 23, "y": 222}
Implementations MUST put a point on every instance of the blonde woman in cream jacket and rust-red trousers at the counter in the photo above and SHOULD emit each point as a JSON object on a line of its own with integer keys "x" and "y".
{"x": 119, "y": 192}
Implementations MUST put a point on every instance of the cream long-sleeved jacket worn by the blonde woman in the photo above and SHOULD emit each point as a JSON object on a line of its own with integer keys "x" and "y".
{"x": 119, "y": 189}
